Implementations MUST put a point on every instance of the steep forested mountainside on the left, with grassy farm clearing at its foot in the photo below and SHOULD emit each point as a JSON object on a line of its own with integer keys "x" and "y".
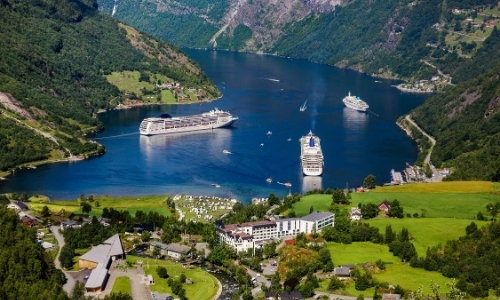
{"x": 62, "y": 62}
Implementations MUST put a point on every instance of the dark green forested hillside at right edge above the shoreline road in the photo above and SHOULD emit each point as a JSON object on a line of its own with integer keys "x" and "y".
{"x": 465, "y": 120}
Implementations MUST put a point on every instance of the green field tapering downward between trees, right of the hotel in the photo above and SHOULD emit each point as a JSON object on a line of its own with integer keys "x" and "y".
{"x": 426, "y": 232}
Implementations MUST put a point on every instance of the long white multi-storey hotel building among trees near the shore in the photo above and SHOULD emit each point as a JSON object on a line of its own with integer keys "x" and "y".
{"x": 245, "y": 236}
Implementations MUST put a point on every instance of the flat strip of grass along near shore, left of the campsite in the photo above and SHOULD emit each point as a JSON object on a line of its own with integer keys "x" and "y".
{"x": 132, "y": 204}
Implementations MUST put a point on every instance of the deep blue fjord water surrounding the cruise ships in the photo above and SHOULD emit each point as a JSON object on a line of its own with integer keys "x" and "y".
{"x": 265, "y": 92}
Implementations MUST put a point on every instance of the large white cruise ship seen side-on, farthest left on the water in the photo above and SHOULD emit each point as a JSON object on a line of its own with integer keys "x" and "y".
{"x": 167, "y": 124}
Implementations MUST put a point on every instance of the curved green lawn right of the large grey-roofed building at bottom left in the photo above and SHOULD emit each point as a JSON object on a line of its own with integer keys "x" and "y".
{"x": 204, "y": 285}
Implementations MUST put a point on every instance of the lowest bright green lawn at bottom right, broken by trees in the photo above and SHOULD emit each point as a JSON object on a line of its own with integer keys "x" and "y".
{"x": 396, "y": 272}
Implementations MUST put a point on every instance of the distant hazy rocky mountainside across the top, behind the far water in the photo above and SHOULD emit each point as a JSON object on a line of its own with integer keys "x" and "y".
{"x": 413, "y": 40}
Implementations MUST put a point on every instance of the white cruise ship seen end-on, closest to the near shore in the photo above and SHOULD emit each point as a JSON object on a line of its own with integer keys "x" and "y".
{"x": 311, "y": 155}
